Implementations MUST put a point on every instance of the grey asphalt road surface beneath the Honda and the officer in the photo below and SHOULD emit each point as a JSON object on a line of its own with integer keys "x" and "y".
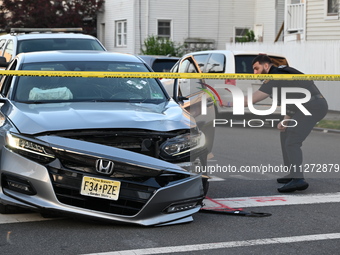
{"x": 311, "y": 228}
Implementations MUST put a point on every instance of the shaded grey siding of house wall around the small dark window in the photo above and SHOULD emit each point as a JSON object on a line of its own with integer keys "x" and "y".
{"x": 200, "y": 19}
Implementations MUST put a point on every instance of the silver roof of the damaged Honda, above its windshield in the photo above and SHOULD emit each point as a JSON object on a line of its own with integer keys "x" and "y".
{"x": 81, "y": 55}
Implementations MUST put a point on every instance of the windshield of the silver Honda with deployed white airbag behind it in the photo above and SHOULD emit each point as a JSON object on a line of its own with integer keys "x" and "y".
{"x": 36, "y": 89}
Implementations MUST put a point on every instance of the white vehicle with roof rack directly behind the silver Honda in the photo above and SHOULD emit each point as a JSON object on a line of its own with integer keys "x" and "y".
{"x": 44, "y": 39}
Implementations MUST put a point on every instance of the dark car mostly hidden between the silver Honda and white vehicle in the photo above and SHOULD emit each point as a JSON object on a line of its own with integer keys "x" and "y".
{"x": 159, "y": 63}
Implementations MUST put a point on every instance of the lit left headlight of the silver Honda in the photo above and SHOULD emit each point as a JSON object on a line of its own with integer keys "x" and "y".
{"x": 29, "y": 149}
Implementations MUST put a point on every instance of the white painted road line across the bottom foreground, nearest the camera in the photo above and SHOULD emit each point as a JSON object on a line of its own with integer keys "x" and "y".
{"x": 224, "y": 245}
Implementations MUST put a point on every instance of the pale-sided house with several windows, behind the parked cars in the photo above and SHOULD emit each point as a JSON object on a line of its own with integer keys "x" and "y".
{"x": 123, "y": 25}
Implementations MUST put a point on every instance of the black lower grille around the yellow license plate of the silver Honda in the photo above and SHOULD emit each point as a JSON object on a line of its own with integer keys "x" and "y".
{"x": 67, "y": 185}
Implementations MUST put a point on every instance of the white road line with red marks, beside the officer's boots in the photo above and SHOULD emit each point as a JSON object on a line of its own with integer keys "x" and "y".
{"x": 242, "y": 202}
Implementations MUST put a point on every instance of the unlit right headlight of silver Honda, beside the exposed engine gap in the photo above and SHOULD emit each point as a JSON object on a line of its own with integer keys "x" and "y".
{"x": 182, "y": 145}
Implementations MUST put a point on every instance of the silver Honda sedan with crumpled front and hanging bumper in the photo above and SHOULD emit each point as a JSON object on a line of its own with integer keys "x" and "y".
{"x": 109, "y": 148}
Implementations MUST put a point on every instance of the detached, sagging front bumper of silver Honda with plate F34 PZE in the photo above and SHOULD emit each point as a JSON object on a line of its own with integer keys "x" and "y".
{"x": 151, "y": 191}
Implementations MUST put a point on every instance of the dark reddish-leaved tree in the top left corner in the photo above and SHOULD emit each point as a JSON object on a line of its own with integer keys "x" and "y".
{"x": 49, "y": 14}
